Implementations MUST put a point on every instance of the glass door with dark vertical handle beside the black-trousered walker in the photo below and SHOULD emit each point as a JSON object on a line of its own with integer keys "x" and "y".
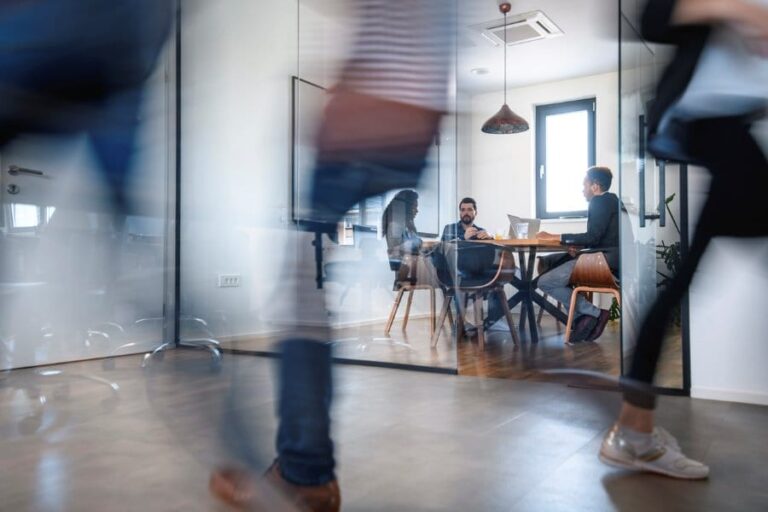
{"x": 654, "y": 213}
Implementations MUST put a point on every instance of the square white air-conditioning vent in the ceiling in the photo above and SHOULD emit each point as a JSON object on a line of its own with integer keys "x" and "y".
{"x": 521, "y": 28}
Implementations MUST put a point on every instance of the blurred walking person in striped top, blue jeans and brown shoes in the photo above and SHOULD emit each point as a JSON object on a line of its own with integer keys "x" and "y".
{"x": 374, "y": 137}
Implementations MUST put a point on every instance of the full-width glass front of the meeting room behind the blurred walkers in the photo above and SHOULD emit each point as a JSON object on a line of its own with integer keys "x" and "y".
{"x": 78, "y": 281}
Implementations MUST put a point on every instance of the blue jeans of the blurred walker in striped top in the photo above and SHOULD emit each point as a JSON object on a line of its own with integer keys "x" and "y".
{"x": 304, "y": 444}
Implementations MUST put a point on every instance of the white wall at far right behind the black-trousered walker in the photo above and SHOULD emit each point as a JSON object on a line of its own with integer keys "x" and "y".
{"x": 728, "y": 320}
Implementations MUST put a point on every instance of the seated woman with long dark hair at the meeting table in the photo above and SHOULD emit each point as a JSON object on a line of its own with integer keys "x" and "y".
{"x": 403, "y": 241}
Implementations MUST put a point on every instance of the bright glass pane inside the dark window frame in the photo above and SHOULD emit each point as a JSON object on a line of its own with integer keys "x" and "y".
{"x": 567, "y": 156}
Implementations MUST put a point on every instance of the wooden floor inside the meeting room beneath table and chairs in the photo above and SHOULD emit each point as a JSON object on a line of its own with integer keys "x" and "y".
{"x": 500, "y": 359}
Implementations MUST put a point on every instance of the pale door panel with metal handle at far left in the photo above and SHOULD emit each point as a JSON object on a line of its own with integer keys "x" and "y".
{"x": 79, "y": 279}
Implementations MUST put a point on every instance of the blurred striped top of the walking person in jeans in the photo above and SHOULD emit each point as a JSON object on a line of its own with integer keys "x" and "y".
{"x": 403, "y": 50}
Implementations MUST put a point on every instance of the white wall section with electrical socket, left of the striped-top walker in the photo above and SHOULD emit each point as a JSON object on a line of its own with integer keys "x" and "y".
{"x": 238, "y": 58}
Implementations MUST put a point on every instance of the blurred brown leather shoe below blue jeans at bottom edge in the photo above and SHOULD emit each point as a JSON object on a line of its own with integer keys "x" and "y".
{"x": 272, "y": 493}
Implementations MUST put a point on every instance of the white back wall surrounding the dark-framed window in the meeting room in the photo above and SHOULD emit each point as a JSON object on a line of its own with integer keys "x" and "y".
{"x": 500, "y": 174}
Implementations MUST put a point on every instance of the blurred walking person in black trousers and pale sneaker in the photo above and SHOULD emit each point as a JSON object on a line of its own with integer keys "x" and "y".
{"x": 691, "y": 121}
